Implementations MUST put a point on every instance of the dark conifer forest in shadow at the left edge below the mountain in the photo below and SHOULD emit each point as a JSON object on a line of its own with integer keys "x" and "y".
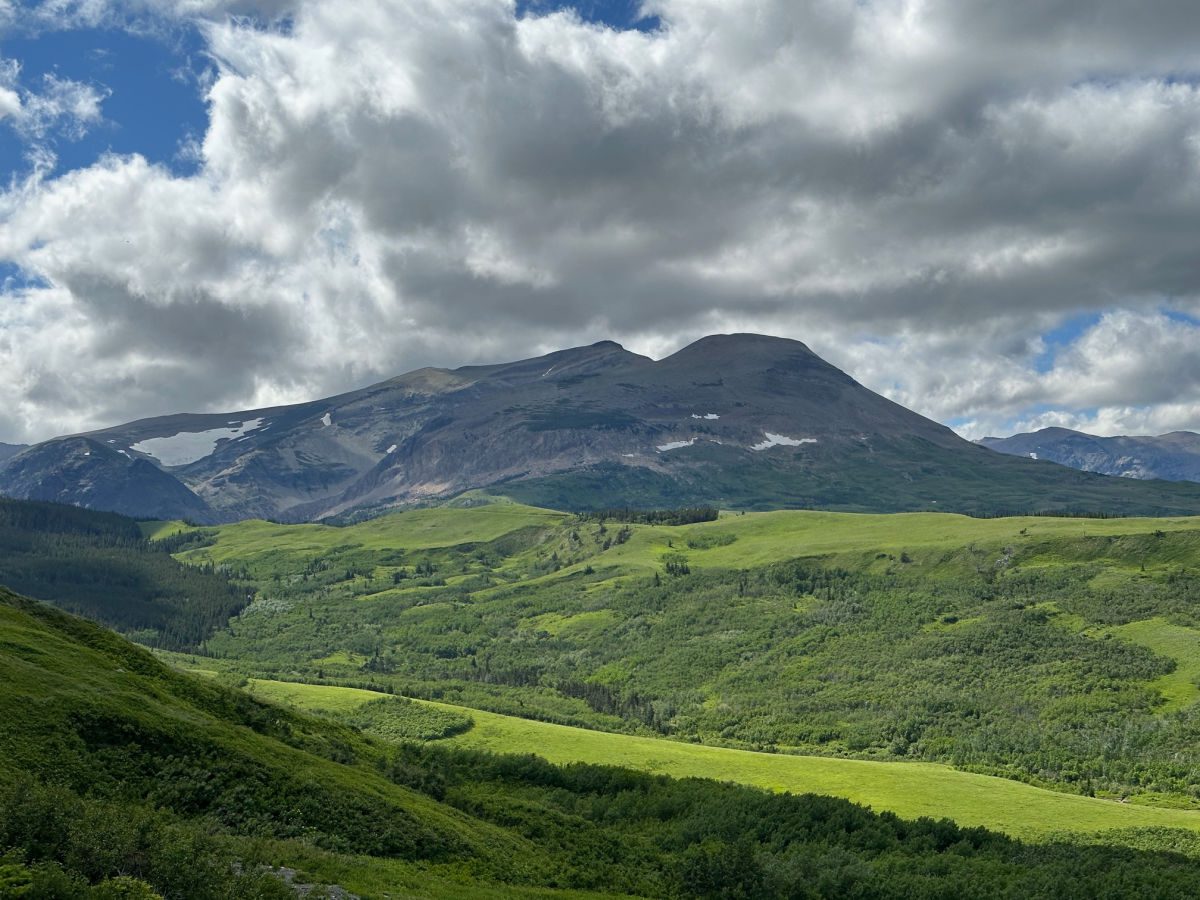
{"x": 99, "y": 566}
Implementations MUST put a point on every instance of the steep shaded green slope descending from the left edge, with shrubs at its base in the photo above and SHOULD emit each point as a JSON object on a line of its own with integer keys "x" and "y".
{"x": 115, "y": 765}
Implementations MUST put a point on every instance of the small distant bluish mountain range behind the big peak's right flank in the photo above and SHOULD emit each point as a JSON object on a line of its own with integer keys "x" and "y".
{"x": 1171, "y": 458}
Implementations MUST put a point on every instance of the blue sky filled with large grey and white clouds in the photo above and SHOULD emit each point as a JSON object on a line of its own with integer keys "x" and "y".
{"x": 989, "y": 213}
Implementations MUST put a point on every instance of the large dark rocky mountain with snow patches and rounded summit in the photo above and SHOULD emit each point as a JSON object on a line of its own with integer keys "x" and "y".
{"x": 736, "y": 421}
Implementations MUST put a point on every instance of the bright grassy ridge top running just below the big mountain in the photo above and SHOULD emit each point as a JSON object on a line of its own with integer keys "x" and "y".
{"x": 737, "y": 542}
